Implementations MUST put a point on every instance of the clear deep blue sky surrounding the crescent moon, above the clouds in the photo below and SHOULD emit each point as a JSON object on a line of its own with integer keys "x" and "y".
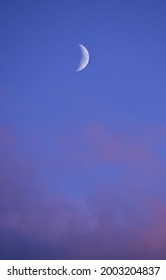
{"x": 126, "y": 41}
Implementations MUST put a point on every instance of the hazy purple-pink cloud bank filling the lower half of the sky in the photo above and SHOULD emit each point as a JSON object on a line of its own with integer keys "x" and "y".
{"x": 123, "y": 216}
